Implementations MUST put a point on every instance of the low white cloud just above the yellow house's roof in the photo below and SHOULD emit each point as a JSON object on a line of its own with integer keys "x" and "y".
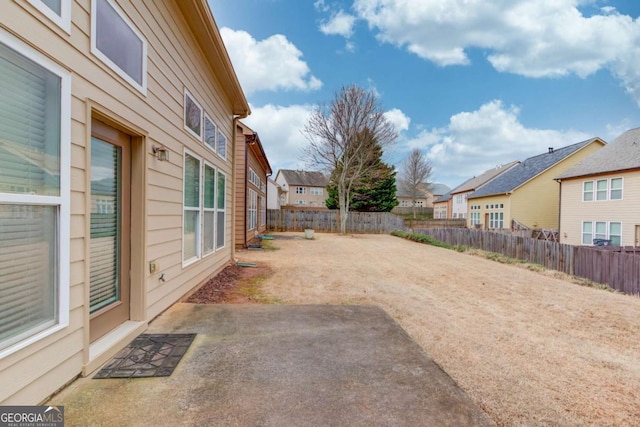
{"x": 473, "y": 142}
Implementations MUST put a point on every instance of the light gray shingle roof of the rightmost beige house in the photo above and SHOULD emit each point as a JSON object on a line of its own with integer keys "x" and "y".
{"x": 622, "y": 153}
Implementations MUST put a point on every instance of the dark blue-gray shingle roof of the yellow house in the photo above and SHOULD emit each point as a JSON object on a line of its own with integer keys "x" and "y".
{"x": 528, "y": 169}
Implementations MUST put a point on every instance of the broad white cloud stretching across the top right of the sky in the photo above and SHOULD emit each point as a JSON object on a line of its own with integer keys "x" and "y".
{"x": 533, "y": 38}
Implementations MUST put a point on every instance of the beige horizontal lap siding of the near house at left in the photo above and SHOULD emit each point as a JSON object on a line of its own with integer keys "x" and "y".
{"x": 34, "y": 372}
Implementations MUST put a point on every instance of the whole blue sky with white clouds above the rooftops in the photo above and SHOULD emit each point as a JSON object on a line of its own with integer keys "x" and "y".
{"x": 472, "y": 83}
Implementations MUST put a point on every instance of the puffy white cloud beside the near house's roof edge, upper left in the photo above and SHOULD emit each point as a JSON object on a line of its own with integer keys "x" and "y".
{"x": 270, "y": 64}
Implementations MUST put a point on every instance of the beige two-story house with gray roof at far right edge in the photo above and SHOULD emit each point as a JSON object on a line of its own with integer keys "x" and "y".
{"x": 600, "y": 196}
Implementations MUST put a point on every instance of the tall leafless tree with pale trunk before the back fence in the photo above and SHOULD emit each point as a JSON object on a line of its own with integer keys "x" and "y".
{"x": 342, "y": 137}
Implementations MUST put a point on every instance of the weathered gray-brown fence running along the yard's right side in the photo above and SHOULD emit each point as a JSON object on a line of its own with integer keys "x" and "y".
{"x": 617, "y": 267}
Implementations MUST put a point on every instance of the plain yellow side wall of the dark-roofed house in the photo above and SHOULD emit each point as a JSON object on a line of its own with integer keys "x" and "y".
{"x": 536, "y": 204}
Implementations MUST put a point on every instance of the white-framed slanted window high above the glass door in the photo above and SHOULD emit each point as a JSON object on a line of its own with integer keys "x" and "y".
{"x": 118, "y": 44}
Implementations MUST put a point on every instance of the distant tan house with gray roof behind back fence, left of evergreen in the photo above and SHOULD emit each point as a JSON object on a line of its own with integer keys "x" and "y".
{"x": 302, "y": 188}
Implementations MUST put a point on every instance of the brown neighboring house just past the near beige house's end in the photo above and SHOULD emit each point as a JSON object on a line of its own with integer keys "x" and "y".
{"x": 252, "y": 172}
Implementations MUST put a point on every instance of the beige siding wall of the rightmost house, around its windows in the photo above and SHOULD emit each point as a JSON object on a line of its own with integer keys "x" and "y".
{"x": 574, "y": 211}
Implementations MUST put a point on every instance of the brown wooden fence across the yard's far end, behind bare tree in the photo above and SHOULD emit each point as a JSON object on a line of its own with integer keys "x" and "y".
{"x": 329, "y": 221}
